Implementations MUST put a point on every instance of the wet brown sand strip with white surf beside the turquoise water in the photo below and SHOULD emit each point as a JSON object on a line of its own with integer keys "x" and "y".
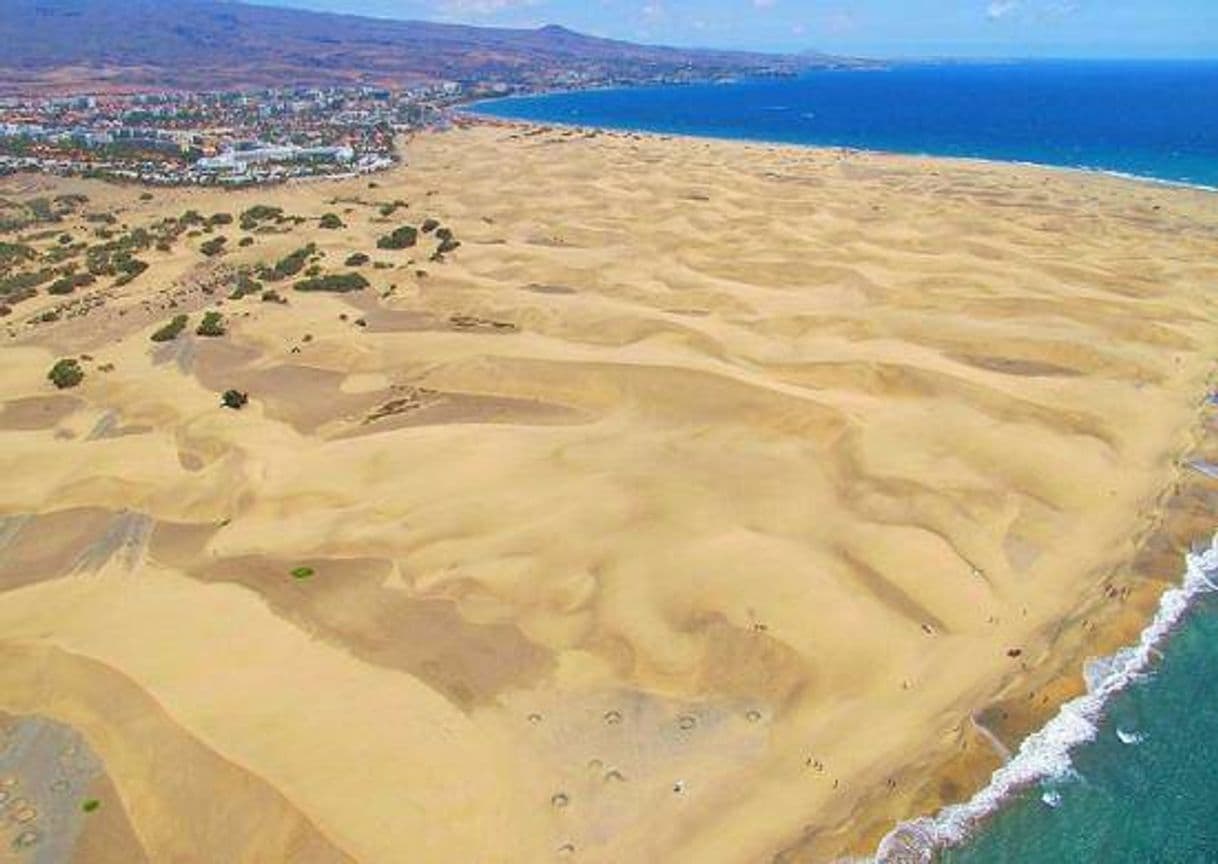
{"x": 1107, "y": 659}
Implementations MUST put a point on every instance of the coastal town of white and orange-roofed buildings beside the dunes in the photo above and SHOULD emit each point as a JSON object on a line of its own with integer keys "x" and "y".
{"x": 225, "y": 138}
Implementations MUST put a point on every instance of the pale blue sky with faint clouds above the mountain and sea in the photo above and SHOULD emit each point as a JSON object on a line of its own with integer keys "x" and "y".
{"x": 880, "y": 29}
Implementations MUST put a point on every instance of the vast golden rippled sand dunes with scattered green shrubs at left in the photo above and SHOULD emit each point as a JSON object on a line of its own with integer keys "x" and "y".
{"x": 700, "y": 503}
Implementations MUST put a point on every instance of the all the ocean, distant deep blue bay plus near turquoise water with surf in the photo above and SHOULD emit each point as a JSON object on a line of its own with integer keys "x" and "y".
{"x": 1127, "y": 774}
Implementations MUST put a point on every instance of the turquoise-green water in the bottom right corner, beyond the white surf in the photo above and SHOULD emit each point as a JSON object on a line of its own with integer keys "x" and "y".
{"x": 1152, "y": 799}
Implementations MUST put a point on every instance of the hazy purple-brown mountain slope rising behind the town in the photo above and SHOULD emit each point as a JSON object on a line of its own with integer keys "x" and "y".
{"x": 63, "y": 46}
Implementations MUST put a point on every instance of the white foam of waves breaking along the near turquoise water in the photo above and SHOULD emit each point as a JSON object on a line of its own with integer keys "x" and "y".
{"x": 1046, "y": 755}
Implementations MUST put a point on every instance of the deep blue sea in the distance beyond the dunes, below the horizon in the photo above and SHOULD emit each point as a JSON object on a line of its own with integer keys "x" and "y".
{"x": 1156, "y": 120}
